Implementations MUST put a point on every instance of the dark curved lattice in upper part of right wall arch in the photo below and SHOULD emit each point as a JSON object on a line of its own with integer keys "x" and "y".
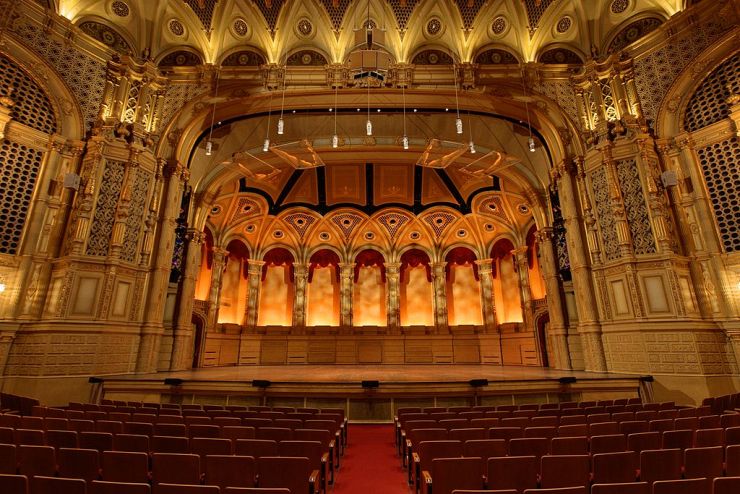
{"x": 709, "y": 104}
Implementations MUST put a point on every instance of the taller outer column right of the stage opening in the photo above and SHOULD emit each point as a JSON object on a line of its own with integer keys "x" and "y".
{"x": 588, "y": 325}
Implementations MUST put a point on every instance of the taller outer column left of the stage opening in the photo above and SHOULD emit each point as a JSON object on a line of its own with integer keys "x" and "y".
{"x": 151, "y": 332}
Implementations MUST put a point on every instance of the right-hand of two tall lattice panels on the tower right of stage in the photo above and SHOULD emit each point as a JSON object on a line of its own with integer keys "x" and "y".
{"x": 641, "y": 232}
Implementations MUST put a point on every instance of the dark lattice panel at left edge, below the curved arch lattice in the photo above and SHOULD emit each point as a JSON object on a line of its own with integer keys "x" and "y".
{"x": 19, "y": 169}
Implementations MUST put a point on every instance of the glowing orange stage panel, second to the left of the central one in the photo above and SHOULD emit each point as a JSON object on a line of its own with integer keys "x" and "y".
{"x": 276, "y": 298}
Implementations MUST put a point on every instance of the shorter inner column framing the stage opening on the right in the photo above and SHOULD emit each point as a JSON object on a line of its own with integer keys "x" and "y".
{"x": 557, "y": 344}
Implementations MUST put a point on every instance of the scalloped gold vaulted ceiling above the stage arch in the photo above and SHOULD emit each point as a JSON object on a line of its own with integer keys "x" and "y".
{"x": 551, "y": 31}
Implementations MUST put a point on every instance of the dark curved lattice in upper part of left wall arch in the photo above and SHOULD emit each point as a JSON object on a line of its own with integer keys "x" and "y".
{"x": 31, "y": 105}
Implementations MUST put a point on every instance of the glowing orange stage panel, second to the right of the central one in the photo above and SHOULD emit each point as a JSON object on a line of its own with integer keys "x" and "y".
{"x": 463, "y": 297}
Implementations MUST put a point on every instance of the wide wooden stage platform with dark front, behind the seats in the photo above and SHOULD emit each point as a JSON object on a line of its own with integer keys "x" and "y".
{"x": 395, "y": 386}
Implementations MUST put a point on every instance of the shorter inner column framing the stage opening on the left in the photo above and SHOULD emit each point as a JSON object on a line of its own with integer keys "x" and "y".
{"x": 183, "y": 330}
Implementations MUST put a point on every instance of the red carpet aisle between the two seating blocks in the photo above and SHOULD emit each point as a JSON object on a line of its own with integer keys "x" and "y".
{"x": 370, "y": 464}
